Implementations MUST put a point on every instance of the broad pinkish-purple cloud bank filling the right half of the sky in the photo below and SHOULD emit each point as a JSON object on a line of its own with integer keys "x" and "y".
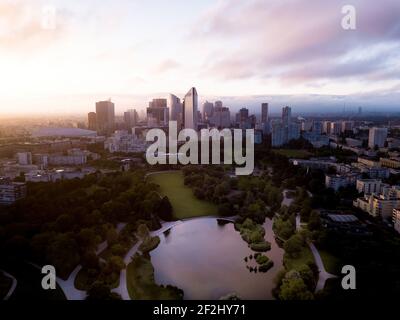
{"x": 299, "y": 39}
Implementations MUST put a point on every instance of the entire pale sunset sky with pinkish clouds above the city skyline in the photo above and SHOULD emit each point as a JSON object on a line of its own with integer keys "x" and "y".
{"x": 240, "y": 52}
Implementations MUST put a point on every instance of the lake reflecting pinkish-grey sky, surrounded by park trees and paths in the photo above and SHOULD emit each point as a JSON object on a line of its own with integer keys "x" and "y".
{"x": 206, "y": 260}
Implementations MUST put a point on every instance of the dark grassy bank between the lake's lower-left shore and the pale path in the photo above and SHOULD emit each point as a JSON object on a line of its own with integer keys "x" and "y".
{"x": 141, "y": 283}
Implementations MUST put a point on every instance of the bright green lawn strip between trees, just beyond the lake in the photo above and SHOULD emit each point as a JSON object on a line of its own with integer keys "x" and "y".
{"x": 184, "y": 203}
